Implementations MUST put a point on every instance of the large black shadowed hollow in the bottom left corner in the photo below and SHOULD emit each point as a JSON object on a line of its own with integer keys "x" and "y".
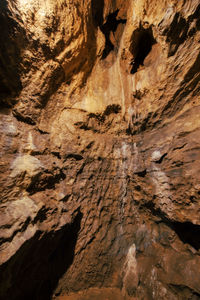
{"x": 34, "y": 271}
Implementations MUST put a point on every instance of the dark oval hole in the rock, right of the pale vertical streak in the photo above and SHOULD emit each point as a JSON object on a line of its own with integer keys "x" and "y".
{"x": 141, "y": 45}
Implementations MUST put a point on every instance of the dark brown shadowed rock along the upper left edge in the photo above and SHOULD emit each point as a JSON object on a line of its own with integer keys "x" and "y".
{"x": 11, "y": 38}
